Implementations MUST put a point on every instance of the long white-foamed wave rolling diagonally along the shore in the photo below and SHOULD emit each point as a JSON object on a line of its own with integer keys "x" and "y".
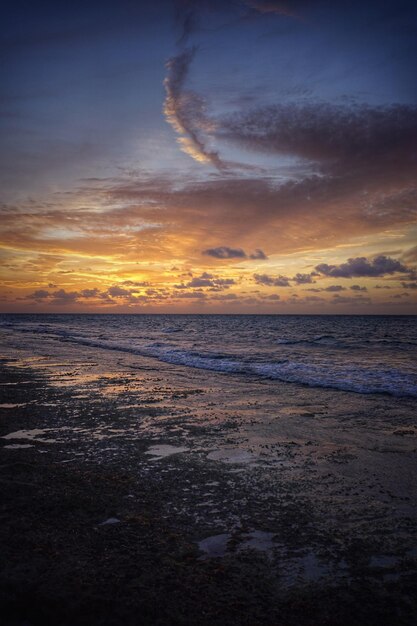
{"x": 329, "y": 372}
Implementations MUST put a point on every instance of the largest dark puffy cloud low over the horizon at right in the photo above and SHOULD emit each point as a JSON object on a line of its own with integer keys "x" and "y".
{"x": 361, "y": 266}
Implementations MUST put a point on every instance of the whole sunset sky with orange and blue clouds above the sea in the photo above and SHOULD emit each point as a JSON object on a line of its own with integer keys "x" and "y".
{"x": 209, "y": 156}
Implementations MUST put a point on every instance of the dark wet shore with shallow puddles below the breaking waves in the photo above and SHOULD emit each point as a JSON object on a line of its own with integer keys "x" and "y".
{"x": 137, "y": 492}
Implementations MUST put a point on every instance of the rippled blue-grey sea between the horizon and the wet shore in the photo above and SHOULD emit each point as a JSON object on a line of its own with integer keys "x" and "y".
{"x": 363, "y": 354}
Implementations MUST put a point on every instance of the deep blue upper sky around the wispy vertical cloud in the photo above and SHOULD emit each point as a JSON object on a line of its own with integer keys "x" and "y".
{"x": 84, "y": 80}
